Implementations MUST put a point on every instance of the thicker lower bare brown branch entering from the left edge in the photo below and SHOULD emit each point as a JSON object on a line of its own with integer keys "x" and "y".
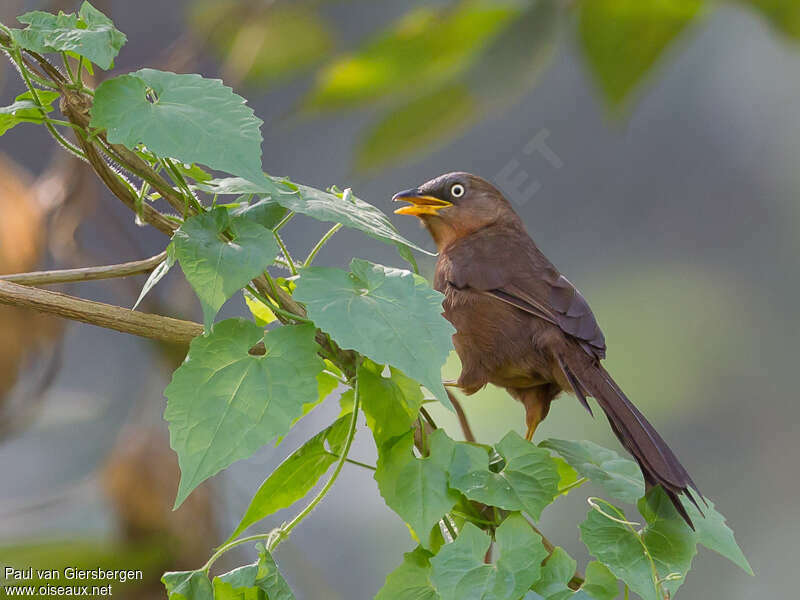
{"x": 156, "y": 327}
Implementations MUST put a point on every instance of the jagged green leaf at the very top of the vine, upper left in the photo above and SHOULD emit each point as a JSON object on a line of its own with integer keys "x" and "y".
{"x": 89, "y": 33}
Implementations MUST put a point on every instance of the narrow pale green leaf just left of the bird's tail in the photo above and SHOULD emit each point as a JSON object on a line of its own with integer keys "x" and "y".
{"x": 619, "y": 477}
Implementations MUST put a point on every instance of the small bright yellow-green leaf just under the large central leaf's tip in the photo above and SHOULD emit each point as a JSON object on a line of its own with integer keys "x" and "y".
{"x": 390, "y": 404}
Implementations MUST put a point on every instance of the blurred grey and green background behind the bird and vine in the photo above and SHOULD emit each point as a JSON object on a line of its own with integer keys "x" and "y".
{"x": 650, "y": 147}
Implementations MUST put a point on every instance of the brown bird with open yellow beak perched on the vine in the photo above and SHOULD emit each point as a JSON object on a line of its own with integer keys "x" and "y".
{"x": 521, "y": 325}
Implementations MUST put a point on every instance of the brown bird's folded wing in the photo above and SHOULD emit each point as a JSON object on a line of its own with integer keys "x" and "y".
{"x": 515, "y": 271}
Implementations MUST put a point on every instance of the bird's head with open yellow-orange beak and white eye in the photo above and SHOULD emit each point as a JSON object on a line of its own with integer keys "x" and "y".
{"x": 454, "y": 205}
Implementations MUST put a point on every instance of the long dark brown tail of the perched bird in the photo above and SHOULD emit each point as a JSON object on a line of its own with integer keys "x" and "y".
{"x": 659, "y": 464}
